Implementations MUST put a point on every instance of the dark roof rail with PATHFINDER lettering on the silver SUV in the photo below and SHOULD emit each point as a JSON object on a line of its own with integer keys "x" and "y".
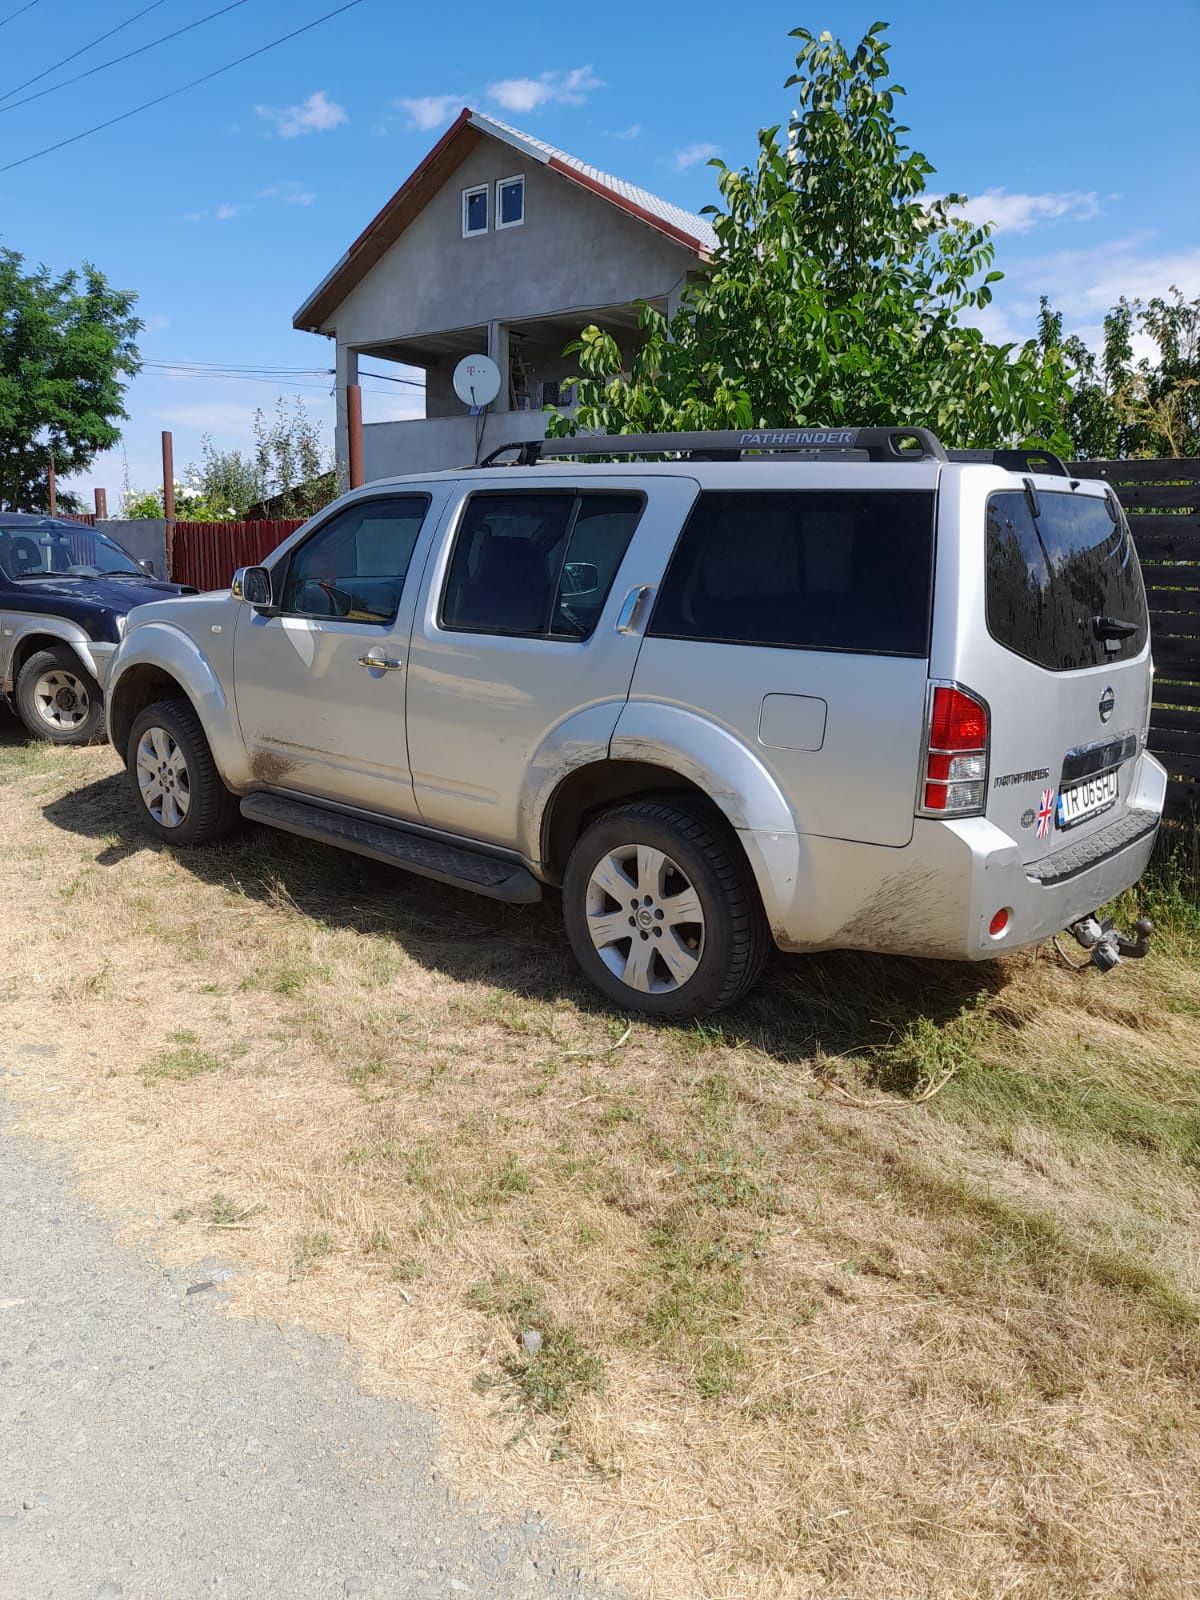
{"x": 878, "y": 444}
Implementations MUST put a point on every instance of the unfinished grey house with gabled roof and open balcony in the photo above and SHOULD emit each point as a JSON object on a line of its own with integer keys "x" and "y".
{"x": 497, "y": 244}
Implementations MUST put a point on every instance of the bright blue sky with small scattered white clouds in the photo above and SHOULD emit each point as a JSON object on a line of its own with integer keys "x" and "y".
{"x": 1074, "y": 126}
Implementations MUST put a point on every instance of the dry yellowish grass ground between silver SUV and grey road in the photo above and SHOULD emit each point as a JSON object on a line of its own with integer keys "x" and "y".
{"x": 670, "y": 1284}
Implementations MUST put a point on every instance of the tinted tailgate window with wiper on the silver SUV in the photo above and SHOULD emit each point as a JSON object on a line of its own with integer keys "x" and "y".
{"x": 1049, "y": 580}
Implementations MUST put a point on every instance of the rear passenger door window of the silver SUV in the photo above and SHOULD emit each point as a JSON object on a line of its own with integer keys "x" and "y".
{"x": 537, "y": 566}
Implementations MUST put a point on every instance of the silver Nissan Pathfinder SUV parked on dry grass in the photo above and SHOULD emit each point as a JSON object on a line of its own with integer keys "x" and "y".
{"x": 812, "y": 689}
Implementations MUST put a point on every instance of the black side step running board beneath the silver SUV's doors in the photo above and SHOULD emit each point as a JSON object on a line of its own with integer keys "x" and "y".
{"x": 399, "y": 847}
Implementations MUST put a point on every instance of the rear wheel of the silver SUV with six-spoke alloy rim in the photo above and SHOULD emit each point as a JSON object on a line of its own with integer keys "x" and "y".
{"x": 647, "y": 868}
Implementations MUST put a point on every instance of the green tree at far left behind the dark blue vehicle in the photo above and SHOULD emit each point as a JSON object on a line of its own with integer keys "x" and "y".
{"x": 66, "y": 348}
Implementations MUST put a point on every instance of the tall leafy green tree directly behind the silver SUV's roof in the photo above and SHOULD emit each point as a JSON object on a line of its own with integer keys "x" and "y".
{"x": 839, "y": 290}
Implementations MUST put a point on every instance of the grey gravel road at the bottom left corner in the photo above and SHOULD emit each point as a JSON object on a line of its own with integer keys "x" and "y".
{"x": 153, "y": 1447}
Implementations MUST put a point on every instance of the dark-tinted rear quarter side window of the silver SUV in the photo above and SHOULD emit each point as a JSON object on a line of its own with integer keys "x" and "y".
{"x": 804, "y": 570}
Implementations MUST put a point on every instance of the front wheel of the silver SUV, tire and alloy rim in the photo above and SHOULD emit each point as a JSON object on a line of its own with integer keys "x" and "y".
{"x": 177, "y": 788}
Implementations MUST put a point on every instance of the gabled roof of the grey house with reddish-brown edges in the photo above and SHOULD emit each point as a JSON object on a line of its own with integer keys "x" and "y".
{"x": 687, "y": 230}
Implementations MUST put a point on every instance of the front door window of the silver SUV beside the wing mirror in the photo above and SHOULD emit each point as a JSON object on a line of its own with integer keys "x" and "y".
{"x": 356, "y": 564}
